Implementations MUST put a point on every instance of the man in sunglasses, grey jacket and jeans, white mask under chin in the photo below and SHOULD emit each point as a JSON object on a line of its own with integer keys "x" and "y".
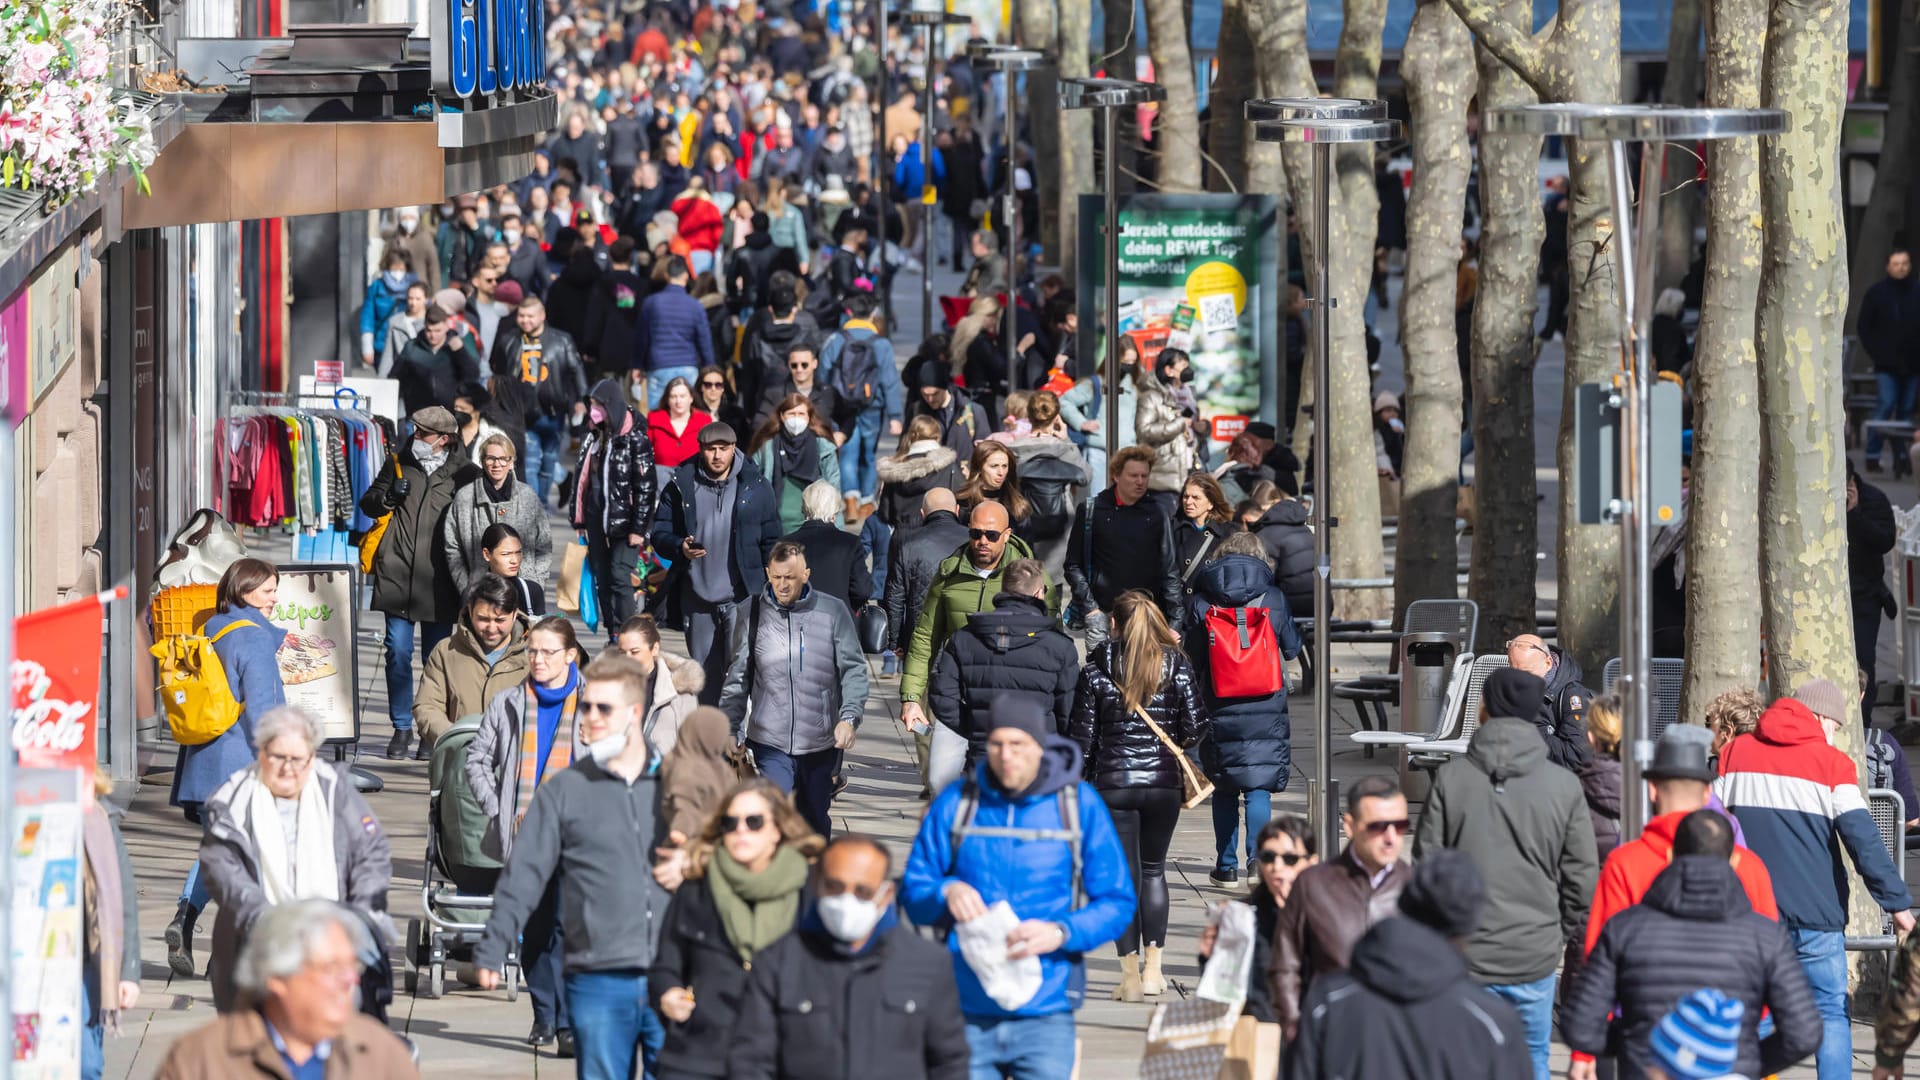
{"x": 598, "y": 825}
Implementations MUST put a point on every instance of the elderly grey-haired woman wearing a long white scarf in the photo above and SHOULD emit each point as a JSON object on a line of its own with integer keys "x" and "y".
{"x": 287, "y": 827}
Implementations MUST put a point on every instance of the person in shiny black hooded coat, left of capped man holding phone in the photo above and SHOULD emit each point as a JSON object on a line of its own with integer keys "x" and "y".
{"x": 613, "y": 499}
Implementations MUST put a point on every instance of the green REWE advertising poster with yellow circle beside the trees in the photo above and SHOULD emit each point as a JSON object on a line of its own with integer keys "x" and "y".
{"x": 1197, "y": 272}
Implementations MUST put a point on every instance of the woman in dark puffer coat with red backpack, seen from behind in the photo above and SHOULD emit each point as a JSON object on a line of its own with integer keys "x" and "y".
{"x": 1249, "y": 741}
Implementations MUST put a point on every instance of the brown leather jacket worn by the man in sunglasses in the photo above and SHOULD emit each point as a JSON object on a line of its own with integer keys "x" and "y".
{"x": 1326, "y": 916}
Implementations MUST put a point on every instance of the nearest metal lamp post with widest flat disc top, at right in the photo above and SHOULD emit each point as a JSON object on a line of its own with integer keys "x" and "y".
{"x": 1633, "y": 393}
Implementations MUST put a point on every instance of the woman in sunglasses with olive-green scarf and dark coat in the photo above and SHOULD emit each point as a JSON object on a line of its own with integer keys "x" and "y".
{"x": 742, "y": 895}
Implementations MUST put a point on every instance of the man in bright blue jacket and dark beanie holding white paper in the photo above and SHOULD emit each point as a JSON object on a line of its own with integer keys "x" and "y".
{"x": 1026, "y": 831}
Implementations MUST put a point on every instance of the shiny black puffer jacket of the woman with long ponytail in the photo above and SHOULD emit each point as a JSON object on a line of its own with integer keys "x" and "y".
{"x": 1120, "y": 750}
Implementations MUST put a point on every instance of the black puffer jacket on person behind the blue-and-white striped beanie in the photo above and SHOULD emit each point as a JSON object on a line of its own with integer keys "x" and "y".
{"x": 1692, "y": 929}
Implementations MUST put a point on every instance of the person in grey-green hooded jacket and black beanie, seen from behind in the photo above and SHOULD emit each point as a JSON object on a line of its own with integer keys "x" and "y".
{"x": 1525, "y": 825}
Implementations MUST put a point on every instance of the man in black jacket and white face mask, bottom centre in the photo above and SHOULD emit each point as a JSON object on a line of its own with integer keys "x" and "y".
{"x": 876, "y": 1000}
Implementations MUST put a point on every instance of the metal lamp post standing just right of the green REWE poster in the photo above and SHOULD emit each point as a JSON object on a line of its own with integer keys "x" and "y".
{"x": 1324, "y": 124}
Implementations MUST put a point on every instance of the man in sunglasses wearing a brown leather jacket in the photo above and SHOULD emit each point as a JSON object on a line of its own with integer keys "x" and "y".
{"x": 1337, "y": 902}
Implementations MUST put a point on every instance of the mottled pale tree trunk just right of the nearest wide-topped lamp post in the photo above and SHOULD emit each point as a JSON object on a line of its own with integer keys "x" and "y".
{"x": 1723, "y": 645}
